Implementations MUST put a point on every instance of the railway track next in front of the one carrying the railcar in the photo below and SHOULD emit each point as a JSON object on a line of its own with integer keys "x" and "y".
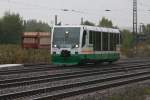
{"x": 23, "y": 81}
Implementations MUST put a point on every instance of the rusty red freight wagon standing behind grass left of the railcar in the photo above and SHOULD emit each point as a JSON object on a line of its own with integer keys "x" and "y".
{"x": 36, "y": 40}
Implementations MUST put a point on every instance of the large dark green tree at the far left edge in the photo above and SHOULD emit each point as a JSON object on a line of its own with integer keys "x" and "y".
{"x": 11, "y": 28}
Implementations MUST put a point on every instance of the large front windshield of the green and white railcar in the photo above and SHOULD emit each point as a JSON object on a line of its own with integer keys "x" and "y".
{"x": 66, "y": 37}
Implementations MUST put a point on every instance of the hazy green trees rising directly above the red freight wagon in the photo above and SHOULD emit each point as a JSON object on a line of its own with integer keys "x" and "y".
{"x": 34, "y": 26}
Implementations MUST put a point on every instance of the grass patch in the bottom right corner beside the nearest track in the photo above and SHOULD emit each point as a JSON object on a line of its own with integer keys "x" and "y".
{"x": 128, "y": 93}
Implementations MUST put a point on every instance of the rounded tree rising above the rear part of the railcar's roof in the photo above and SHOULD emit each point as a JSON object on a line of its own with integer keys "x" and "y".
{"x": 105, "y": 23}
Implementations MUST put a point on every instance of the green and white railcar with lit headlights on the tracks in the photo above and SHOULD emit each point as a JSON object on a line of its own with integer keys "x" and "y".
{"x": 78, "y": 44}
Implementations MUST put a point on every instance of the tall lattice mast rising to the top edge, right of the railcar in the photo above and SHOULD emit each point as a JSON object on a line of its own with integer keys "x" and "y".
{"x": 135, "y": 23}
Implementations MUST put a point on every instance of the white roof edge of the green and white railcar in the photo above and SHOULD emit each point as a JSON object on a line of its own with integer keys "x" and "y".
{"x": 93, "y": 28}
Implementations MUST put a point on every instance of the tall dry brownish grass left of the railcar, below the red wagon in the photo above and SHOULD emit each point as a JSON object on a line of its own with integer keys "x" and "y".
{"x": 15, "y": 54}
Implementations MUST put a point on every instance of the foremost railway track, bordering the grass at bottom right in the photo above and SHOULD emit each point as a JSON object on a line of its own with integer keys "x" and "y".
{"x": 78, "y": 89}
